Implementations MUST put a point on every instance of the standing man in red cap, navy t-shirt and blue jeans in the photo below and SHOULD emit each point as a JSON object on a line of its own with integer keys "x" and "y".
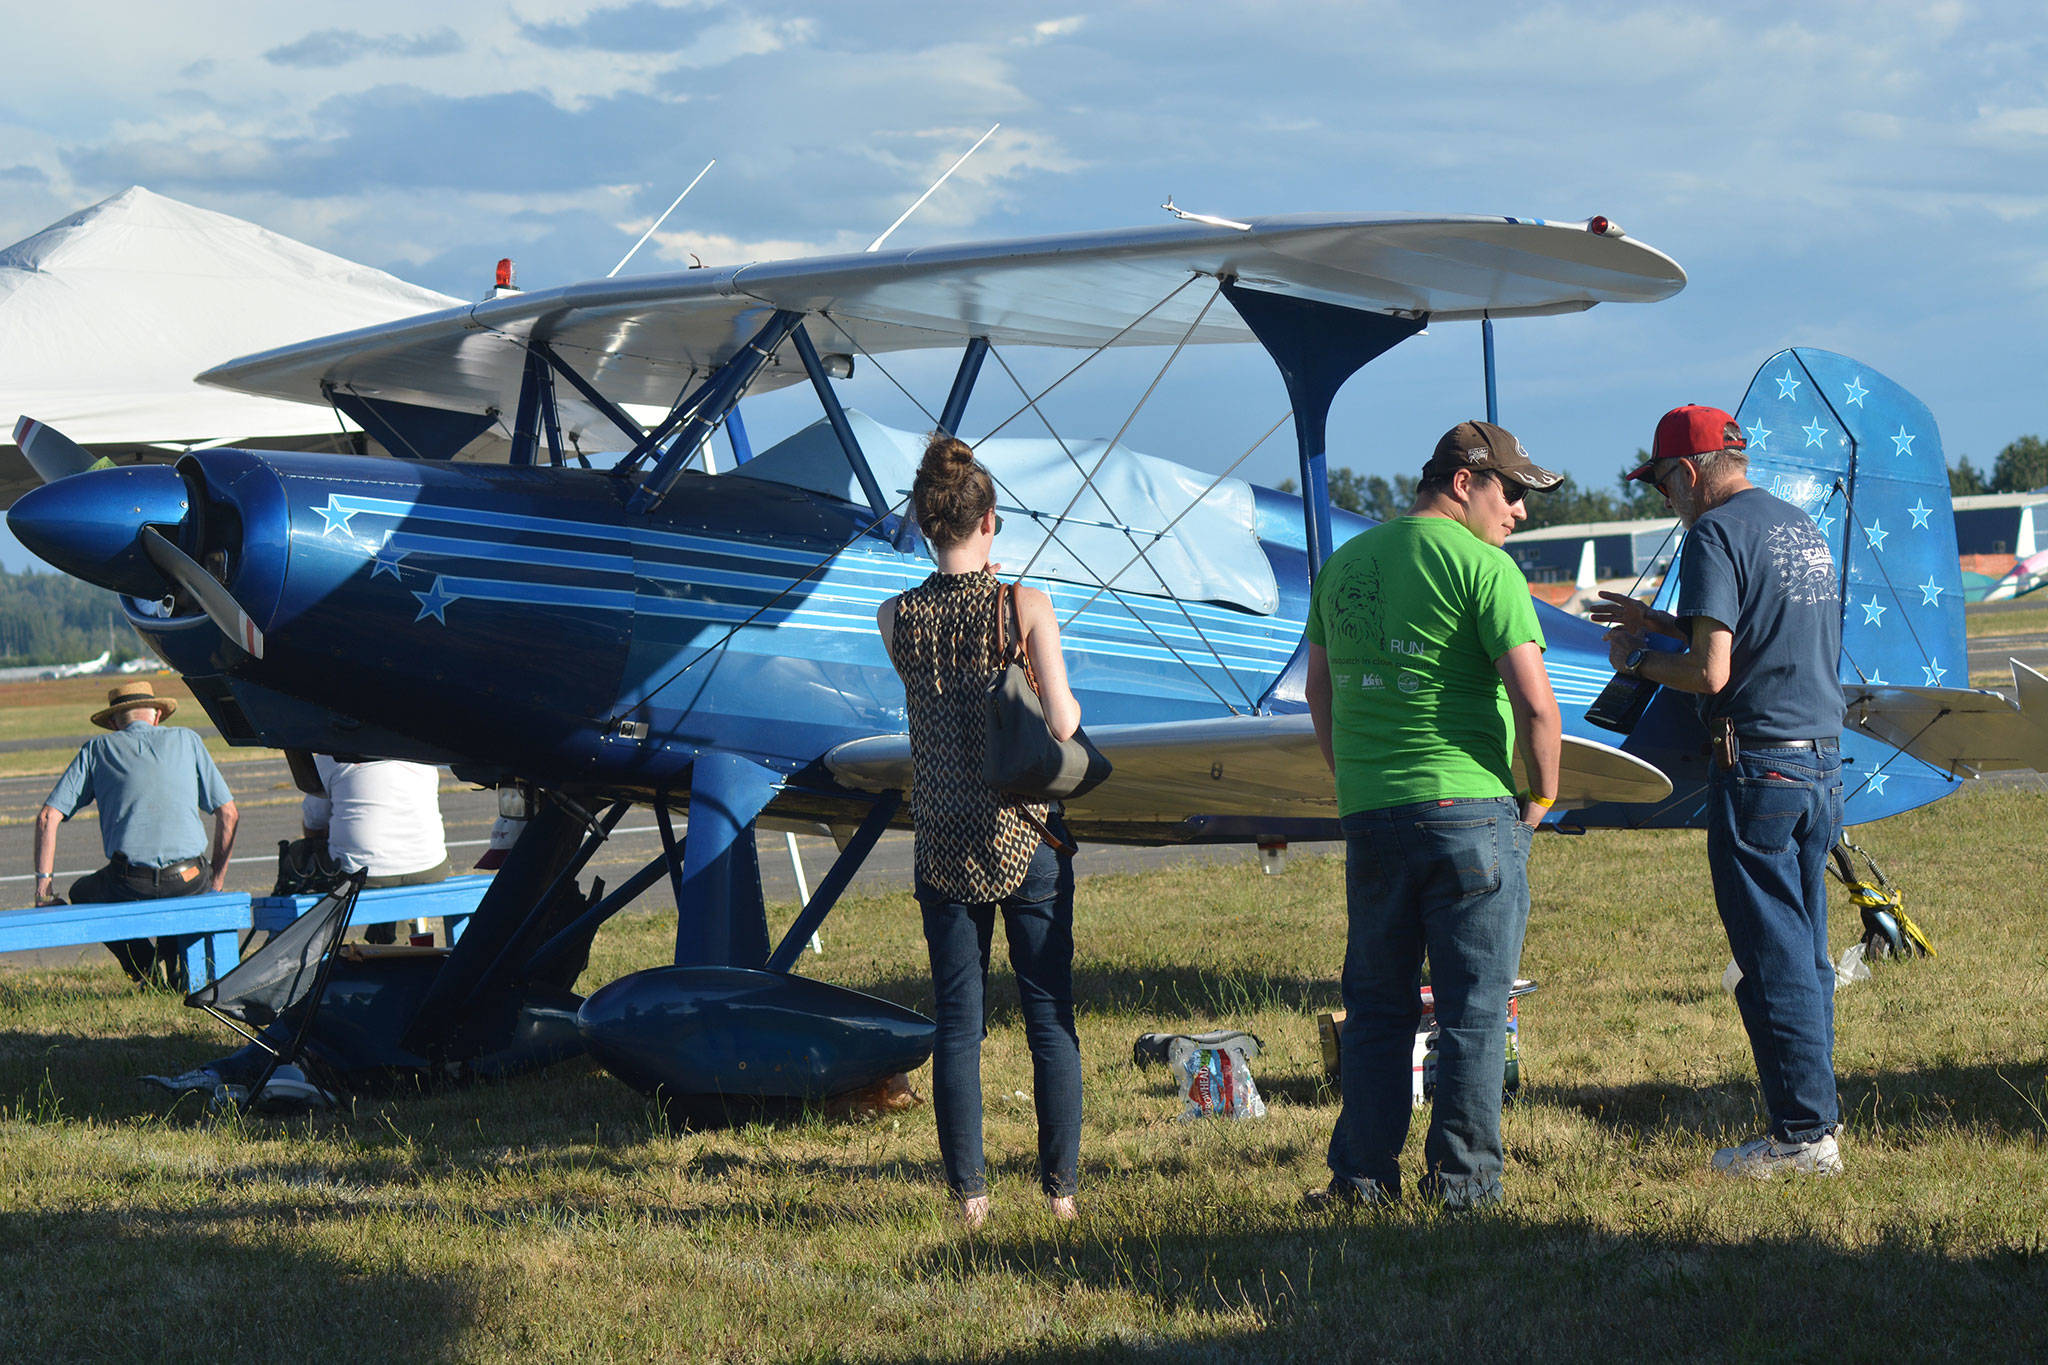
{"x": 1760, "y": 629}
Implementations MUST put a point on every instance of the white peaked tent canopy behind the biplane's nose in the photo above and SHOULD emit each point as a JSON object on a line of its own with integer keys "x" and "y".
{"x": 108, "y": 316}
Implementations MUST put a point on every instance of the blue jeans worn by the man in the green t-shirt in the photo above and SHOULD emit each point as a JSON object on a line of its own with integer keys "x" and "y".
{"x": 1449, "y": 879}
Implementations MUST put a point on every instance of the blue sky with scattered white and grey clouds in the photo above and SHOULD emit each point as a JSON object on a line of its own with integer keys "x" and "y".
{"x": 1869, "y": 179}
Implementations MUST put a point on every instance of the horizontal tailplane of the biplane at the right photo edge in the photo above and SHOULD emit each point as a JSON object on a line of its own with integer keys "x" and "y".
{"x": 1957, "y": 730}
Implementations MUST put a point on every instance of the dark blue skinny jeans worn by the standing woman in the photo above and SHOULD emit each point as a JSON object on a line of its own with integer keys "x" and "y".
{"x": 1039, "y": 926}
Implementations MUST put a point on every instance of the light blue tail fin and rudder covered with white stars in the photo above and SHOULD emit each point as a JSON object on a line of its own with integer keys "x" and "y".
{"x": 1865, "y": 459}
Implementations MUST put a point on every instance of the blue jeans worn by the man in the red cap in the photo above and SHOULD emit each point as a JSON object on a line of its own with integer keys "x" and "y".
{"x": 1773, "y": 822}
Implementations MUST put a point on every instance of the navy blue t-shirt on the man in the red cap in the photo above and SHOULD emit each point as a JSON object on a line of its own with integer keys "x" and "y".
{"x": 1758, "y": 566}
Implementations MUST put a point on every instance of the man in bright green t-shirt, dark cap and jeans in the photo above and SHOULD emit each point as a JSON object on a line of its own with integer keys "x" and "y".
{"x": 1424, "y": 678}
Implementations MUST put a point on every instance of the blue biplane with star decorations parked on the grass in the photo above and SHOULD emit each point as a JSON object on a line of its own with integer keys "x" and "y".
{"x": 656, "y": 633}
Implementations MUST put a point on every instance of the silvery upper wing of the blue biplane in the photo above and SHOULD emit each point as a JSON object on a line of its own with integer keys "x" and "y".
{"x": 642, "y": 341}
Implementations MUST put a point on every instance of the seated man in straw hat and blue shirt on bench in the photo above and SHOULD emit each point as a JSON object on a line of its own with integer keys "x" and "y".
{"x": 151, "y": 783}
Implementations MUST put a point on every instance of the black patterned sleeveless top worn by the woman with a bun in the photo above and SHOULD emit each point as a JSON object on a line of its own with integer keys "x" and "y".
{"x": 972, "y": 842}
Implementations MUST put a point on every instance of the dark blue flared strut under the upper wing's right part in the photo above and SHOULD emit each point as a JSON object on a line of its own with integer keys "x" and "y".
{"x": 1318, "y": 347}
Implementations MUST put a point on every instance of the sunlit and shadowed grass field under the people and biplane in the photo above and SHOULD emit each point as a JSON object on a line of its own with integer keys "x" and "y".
{"x": 560, "y": 1217}
